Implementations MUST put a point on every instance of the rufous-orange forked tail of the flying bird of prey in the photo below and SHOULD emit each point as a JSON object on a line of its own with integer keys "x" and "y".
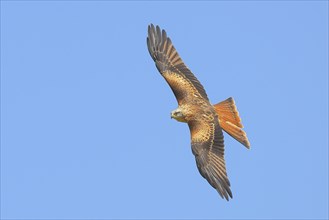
{"x": 230, "y": 121}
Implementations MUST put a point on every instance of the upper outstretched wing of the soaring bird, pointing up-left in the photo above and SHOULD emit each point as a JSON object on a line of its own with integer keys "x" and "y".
{"x": 181, "y": 80}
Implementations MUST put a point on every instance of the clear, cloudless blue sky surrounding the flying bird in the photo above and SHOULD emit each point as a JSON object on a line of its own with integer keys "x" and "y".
{"x": 85, "y": 116}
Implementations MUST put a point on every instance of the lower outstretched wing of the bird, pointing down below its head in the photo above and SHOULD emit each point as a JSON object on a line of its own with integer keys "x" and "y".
{"x": 208, "y": 148}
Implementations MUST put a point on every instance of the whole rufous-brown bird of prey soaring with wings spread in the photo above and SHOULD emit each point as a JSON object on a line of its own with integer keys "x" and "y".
{"x": 205, "y": 121}
